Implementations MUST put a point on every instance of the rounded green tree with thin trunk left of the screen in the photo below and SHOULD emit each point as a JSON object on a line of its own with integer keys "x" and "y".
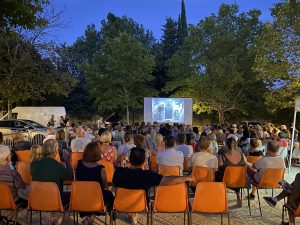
{"x": 119, "y": 74}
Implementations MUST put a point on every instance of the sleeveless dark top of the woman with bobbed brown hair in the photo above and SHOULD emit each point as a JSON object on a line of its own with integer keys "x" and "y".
{"x": 84, "y": 173}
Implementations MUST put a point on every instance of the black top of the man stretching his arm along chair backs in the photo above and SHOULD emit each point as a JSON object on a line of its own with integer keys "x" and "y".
{"x": 136, "y": 178}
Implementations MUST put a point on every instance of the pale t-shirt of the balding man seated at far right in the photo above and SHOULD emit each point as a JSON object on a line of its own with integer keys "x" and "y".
{"x": 276, "y": 162}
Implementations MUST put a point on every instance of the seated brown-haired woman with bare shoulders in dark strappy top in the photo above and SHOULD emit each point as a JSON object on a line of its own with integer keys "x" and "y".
{"x": 231, "y": 157}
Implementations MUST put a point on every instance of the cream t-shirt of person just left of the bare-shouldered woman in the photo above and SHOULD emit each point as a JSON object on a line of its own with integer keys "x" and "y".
{"x": 203, "y": 159}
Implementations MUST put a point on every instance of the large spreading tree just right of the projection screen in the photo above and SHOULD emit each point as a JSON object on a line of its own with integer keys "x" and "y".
{"x": 214, "y": 65}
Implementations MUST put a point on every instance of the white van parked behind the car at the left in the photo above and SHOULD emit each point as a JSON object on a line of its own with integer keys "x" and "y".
{"x": 39, "y": 114}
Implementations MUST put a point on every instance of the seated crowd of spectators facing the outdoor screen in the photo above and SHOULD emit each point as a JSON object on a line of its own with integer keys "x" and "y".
{"x": 132, "y": 149}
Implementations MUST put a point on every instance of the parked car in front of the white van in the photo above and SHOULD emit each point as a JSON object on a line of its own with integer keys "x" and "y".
{"x": 31, "y": 130}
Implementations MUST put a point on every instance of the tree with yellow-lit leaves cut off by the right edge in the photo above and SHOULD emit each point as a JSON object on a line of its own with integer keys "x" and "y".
{"x": 277, "y": 60}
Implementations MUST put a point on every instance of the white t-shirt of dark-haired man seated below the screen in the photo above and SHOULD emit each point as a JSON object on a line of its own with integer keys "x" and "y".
{"x": 170, "y": 157}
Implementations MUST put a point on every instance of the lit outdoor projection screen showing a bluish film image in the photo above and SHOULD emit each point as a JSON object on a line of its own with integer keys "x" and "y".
{"x": 168, "y": 110}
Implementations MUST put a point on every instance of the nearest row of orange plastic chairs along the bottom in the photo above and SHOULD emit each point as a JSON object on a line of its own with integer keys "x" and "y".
{"x": 86, "y": 196}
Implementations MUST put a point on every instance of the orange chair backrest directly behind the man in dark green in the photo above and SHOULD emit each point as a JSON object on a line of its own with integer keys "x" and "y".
{"x": 44, "y": 196}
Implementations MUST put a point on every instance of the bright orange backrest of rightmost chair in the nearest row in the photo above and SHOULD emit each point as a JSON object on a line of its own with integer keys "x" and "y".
{"x": 210, "y": 197}
